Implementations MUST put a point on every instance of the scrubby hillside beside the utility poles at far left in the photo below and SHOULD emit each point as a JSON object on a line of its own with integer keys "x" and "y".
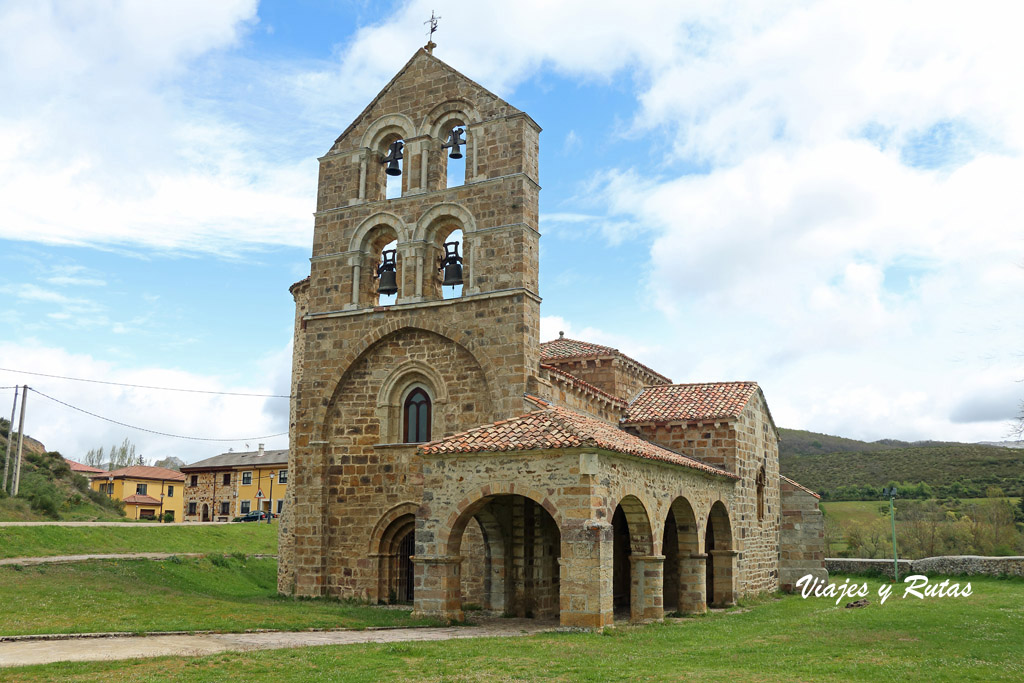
{"x": 50, "y": 490}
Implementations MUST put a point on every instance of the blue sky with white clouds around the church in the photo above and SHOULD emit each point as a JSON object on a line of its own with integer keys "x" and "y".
{"x": 823, "y": 197}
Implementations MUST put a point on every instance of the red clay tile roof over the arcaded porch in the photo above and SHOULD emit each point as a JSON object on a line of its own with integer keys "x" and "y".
{"x": 557, "y": 428}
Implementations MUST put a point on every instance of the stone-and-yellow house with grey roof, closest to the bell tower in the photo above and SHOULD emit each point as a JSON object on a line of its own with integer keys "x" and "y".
{"x": 232, "y": 485}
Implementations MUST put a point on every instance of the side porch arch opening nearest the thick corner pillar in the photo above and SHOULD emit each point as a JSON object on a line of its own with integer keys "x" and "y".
{"x": 632, "y": 546}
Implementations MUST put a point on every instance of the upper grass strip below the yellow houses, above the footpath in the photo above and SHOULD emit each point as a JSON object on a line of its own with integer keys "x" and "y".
{"x": 46, "y": 541}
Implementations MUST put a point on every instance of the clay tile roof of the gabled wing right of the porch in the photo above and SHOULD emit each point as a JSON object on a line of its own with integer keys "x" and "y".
{"x": 689, "y": 403}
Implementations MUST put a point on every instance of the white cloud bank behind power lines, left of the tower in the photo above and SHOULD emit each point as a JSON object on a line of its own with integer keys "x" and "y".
{"x": 72, "y": 433}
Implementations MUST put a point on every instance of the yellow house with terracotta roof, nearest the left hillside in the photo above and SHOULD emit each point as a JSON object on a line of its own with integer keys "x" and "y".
{"x": 149, "y": 493}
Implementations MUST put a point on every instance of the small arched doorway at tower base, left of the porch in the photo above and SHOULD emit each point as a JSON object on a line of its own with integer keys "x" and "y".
{"x": 390, "y": 545}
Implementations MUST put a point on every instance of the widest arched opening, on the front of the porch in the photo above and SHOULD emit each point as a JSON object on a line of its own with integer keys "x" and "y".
{"x": 521, "y": 544}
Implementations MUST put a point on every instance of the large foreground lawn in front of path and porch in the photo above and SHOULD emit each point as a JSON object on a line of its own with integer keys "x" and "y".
{"x": 938, "y": 639}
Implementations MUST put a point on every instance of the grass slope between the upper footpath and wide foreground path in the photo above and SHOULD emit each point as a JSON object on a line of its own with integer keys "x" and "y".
{"x": 188, "y": 594}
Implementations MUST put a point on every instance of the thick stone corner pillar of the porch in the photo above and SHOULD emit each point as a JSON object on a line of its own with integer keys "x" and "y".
{"x": 585, "y": 576}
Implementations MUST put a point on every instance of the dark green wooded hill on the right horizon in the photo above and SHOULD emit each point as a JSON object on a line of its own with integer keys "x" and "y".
{"x": 847, "y": 469}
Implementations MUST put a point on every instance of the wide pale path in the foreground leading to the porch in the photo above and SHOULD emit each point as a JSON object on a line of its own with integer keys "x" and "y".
{"x": 29, "y": 652}
